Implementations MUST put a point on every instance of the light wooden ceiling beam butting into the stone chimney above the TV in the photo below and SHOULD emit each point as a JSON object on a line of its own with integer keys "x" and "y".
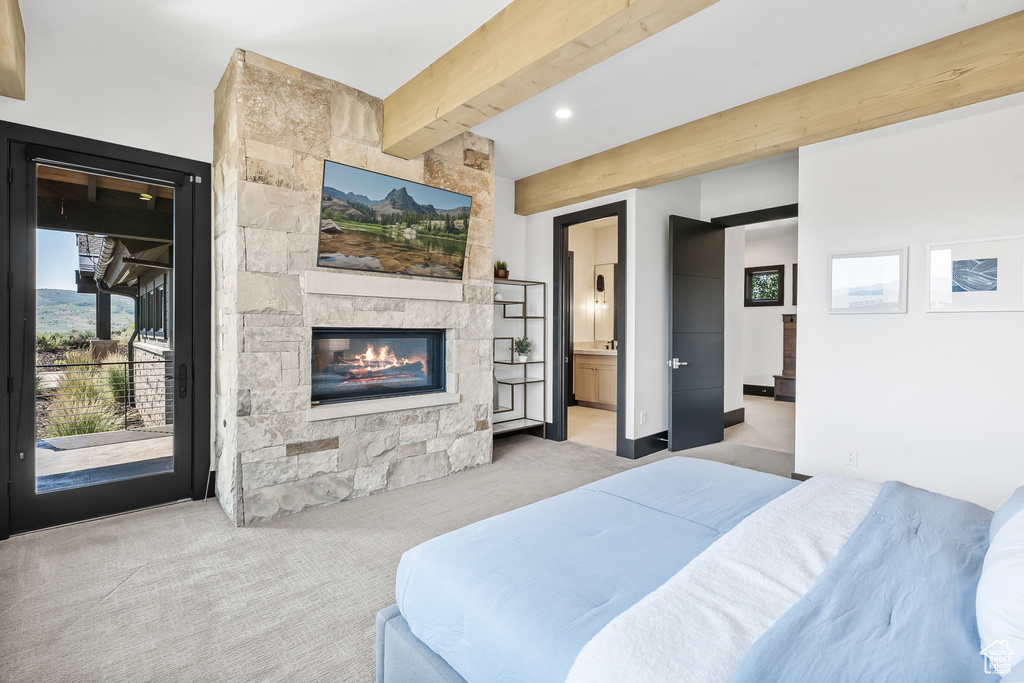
{"x": 525, "y": 50}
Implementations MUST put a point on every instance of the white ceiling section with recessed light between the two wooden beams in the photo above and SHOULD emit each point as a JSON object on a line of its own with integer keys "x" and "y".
{"x": 734, "y": 53}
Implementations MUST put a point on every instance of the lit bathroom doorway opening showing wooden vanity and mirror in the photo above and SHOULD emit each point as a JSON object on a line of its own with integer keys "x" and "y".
{"x": 592, "y": 393}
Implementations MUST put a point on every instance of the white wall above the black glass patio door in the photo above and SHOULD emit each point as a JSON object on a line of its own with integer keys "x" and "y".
{"x": 73, "y": 93}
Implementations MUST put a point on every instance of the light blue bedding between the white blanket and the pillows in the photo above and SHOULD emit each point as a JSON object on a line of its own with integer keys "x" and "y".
{"x": 897, "y": 605}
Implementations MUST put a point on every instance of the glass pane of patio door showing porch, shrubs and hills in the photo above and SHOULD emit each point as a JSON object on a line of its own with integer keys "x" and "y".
{"x": 105, "y": 380}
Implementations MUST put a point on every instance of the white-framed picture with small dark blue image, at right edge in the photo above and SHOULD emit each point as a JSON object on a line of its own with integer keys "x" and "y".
{"x": 976, "y": 275}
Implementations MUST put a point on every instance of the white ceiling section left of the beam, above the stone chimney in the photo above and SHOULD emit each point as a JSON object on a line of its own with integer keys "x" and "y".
{"x": 372, "y": 46}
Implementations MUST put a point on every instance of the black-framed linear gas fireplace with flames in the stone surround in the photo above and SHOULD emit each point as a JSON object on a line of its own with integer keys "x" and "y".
{"x": 354, "y": 364}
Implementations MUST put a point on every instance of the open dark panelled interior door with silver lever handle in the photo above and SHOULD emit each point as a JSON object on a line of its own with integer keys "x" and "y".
{"x": 697, "y": 370}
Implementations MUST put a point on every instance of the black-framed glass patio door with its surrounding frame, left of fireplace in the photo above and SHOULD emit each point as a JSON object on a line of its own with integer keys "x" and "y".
{"x": 108, "y": 407}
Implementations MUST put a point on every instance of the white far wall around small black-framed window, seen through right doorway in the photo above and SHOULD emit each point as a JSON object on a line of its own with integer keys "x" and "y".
{"x": 762, "y": 334}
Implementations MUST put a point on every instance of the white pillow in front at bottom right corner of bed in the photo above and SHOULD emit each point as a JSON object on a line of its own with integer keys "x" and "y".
{"x": 1001, "y": 591}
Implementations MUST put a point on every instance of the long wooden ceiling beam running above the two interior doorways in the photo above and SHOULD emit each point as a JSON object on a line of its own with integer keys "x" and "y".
{"x": 980, "y": 64}
